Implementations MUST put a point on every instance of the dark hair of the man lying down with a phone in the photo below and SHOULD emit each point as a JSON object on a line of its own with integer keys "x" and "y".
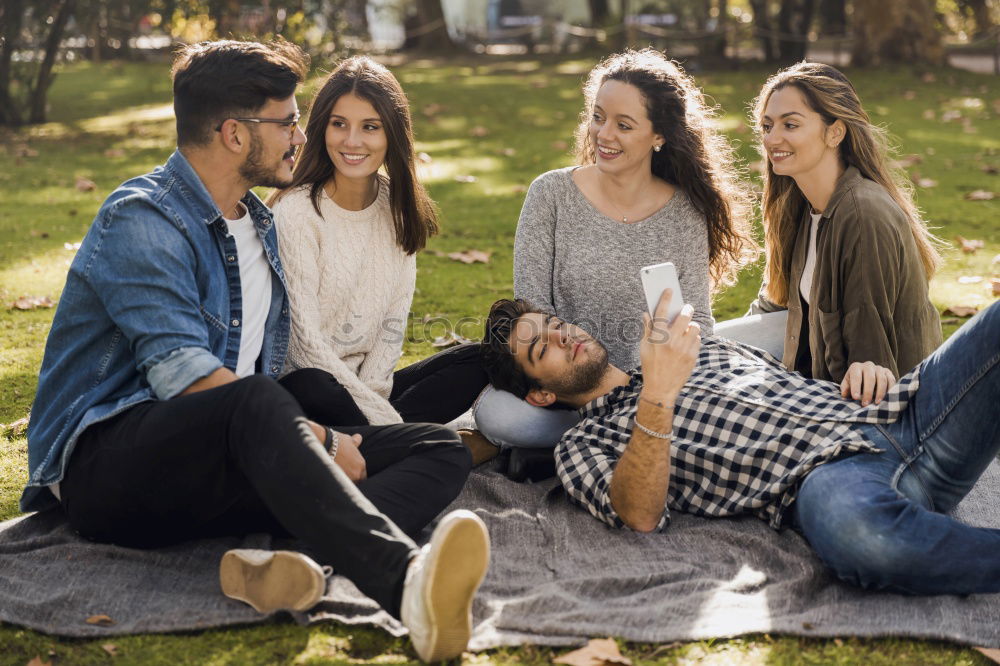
{"x": 498, "y": 360}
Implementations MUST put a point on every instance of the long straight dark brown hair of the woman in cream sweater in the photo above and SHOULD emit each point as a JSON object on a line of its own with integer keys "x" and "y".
{"x": 413, "y": 214}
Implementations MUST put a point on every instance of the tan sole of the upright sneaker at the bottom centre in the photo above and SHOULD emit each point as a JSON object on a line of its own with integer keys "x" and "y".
{"x": 462, "y": 546}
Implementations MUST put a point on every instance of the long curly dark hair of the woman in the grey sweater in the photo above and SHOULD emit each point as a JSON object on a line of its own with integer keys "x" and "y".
{"x": 695, "y": 157}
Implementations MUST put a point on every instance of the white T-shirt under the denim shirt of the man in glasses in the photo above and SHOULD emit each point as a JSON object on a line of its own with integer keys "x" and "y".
{"x": 255, "y": 283}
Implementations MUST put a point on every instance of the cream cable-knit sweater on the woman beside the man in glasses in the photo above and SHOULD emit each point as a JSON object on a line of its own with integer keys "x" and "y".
{"x": 350, "y": 287}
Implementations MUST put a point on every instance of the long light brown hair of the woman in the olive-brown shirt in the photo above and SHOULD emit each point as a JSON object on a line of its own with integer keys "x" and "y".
{"x": 865, "y": 146}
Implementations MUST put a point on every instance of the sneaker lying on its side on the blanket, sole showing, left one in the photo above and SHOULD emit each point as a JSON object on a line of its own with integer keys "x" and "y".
{"x": 272, "y": 580}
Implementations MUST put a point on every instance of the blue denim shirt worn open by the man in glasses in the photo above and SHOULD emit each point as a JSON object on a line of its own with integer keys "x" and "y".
{"x": 152, "y": 303}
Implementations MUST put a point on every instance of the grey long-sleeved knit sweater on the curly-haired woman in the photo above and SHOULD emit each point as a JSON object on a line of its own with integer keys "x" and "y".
{"x": 575, "y": 262}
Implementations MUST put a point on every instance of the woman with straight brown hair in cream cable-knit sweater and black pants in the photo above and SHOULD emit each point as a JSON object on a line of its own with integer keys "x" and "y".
{"x": 348, "y": 238}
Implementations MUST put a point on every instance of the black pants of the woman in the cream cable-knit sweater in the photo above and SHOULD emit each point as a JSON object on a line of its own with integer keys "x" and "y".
{"x": 438, "y": 389}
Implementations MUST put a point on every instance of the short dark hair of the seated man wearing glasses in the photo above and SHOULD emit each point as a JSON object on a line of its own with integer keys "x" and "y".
{"x": 214, "y": 81}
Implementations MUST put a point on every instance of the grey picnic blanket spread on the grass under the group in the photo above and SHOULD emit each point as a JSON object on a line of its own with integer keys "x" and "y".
{"x": 557, "y": 576}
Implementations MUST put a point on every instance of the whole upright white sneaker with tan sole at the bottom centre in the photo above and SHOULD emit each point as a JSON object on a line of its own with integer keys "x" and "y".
{"x": 440, "y": 584}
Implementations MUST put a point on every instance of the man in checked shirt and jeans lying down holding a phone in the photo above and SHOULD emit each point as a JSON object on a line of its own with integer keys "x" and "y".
{"x": 715, "y": 428}
